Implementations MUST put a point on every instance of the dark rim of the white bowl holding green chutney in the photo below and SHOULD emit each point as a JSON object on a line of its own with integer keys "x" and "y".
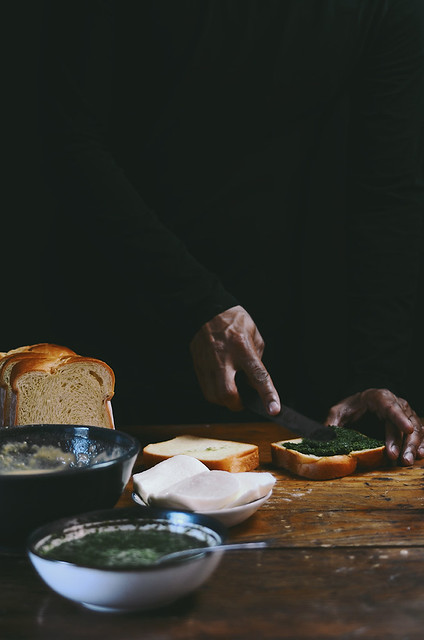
{"x": 129, "y": 514}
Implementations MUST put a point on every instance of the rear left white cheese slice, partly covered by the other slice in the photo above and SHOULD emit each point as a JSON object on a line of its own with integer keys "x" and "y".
{"x": 165, "y": 474}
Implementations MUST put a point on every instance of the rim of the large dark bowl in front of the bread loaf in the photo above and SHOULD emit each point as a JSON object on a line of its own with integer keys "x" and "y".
{"x": 103, "y": 433}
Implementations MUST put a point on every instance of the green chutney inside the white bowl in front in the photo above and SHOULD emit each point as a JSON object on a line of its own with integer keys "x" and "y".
{"x": 121, "y": 549}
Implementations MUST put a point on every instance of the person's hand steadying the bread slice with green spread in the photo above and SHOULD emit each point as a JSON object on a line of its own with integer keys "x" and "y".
{"x": 404, "y": 430}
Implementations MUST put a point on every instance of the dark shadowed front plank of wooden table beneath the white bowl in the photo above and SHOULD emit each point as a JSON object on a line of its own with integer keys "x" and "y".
{"x": 283, "y": 593}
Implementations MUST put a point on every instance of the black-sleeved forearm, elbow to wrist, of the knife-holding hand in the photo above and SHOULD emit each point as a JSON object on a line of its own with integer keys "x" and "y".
{"x": 106, "y": 210}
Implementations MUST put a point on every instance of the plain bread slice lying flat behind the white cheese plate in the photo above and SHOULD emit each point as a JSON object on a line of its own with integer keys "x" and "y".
{"x": 224, "y": 455}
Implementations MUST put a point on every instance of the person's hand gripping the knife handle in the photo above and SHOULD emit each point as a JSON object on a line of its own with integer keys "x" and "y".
{"x": 228, "y": 343}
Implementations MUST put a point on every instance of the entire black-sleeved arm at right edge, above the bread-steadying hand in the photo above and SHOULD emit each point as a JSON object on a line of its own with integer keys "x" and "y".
{"x": 386, "y": 198}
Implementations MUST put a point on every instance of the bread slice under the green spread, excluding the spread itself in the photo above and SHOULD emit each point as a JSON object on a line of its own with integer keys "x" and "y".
{"x": 326, "y": 467}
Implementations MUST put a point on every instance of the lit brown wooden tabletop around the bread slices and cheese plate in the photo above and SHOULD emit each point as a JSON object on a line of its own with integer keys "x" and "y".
{"x": 380, "y": 507}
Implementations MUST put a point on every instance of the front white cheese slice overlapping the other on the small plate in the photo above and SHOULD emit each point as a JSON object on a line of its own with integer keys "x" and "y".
{"x": 208, "y": 491}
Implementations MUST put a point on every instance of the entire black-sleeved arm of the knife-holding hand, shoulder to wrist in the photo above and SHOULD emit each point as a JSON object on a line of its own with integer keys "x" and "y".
{"x": 103, "y": 205}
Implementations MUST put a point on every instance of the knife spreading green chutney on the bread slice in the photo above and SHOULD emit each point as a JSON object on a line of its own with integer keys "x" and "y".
{"x": 288, "y": 418}
